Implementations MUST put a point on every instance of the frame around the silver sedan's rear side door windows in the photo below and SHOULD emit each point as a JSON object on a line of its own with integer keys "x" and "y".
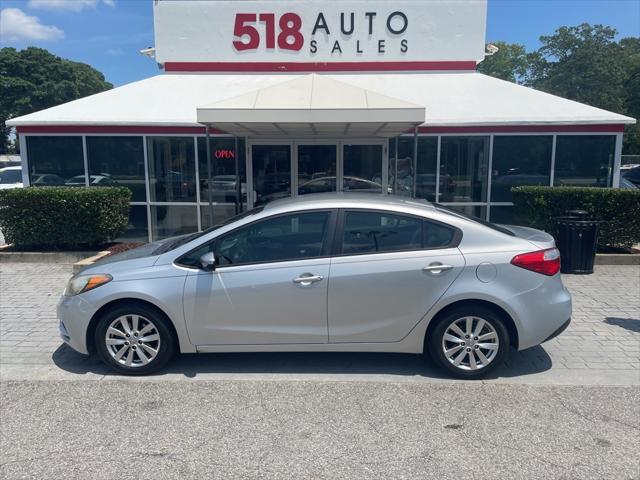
{"x": 337, "y": 246}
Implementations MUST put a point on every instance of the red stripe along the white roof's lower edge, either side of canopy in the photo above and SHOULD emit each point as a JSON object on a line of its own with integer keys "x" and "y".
{"x": 156, "y": 129}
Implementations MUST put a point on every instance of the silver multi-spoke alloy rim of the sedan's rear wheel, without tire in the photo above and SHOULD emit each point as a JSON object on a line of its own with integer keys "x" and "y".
{"x": 470, "y": 343}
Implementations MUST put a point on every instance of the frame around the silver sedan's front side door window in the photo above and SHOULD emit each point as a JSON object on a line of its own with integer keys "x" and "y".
{"x": 327, "y": 240}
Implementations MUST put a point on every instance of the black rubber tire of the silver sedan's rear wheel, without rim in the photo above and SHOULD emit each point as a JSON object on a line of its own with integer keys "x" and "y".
{"x": 434, "y": 343}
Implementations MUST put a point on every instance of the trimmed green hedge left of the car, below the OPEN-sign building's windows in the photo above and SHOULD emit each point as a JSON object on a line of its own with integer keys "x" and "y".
{"x": 63, "y": 217}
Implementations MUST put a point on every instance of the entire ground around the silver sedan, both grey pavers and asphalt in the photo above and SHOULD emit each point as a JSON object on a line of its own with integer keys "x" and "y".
{"x": 567, "y": 409}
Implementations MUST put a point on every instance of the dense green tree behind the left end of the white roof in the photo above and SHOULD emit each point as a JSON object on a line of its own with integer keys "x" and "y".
{"x": 33, "y": 79}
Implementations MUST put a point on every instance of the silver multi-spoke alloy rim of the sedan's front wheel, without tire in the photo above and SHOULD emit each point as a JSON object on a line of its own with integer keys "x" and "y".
{"x": 132, "y": 340}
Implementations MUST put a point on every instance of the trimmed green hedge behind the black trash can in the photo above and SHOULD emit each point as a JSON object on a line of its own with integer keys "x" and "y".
{"x": 617, "y": 209}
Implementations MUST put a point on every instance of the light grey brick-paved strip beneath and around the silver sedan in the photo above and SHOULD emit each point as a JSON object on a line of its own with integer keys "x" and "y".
{"x": 601, "y": 346}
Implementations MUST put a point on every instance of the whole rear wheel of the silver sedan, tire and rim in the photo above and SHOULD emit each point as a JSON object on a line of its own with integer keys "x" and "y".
{"x": 469, "y": 342}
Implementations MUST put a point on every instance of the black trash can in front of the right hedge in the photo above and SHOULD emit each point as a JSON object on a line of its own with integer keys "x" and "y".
{"x": 577, "y": 238}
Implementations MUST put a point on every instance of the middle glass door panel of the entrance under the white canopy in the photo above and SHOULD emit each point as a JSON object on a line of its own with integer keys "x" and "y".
{"x": 317, "y": 167}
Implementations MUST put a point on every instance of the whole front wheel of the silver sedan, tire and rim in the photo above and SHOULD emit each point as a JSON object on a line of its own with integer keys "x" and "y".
{"x": 134, "y": 340}
